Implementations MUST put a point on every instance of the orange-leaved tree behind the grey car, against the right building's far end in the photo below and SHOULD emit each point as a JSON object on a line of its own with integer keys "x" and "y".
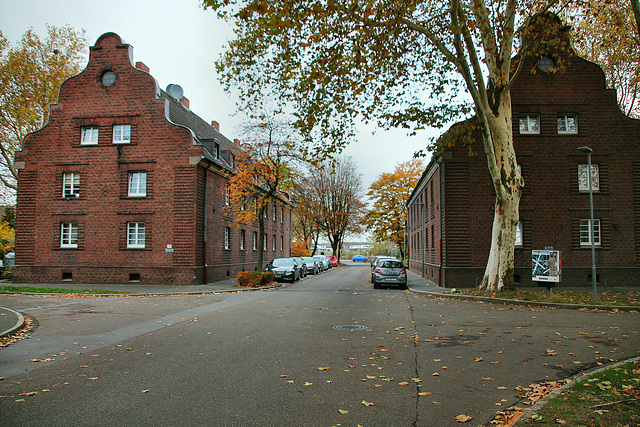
{"x": 389, "y": 193}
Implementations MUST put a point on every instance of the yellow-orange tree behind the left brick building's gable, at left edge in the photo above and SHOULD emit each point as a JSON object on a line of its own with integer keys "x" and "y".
{"x": 31, "y": 73}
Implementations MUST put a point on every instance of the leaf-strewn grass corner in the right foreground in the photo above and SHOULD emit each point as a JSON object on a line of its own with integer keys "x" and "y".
{"x": 607, "y": 398}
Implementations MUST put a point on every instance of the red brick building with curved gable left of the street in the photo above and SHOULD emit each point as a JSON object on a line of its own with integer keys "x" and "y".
{"x": 126, "y": 184}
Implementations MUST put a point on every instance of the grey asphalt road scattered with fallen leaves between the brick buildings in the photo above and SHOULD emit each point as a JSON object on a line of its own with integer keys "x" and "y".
{"x": 276, "y": 358}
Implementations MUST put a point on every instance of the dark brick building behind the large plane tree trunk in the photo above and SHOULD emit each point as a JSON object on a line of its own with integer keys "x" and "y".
{"x": 554, "y": 112}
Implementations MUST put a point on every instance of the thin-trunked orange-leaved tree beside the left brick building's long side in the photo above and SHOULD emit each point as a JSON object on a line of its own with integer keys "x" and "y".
{"x": 262, "y": 171}
